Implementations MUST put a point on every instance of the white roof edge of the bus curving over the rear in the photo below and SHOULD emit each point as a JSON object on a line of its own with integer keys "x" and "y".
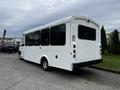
{"x": 61, "y": 21}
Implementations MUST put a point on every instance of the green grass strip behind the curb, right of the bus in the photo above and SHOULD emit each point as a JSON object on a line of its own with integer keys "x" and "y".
{"x": 110, "y": 62}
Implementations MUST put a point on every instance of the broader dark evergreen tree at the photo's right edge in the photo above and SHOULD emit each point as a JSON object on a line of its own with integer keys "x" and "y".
{"x": 115, "y": 45}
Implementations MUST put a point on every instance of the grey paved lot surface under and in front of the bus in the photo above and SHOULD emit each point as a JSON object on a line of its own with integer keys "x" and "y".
{"x": 18, "y": 74}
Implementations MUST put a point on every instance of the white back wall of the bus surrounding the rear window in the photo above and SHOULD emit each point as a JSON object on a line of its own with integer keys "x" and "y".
{"x": 86, "y": 50}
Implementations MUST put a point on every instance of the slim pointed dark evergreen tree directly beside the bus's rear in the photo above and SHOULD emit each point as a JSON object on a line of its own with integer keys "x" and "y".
{"x": 103, "y": 40}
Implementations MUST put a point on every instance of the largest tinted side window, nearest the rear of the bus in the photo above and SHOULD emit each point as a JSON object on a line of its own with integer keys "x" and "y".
{"x": 58, "y": 35}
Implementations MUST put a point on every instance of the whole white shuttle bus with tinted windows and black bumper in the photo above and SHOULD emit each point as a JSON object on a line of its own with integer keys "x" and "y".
{"x": 68, "y": 44}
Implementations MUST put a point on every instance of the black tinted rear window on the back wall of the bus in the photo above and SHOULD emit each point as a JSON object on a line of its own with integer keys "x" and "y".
{"x": 86, "y": 33}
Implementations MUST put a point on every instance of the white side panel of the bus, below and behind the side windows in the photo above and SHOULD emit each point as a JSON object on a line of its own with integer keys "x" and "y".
{"x": 35, "y": 53}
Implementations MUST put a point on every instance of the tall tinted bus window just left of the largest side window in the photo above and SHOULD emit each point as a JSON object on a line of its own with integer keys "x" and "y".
{"x": 45, "y": 37}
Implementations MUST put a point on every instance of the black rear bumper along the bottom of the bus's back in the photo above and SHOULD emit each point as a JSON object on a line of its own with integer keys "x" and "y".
{"x": 83, "y": 64}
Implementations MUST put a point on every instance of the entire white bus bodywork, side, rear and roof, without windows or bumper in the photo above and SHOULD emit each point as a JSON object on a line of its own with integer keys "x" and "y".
{"x": 85, "y": 50}
